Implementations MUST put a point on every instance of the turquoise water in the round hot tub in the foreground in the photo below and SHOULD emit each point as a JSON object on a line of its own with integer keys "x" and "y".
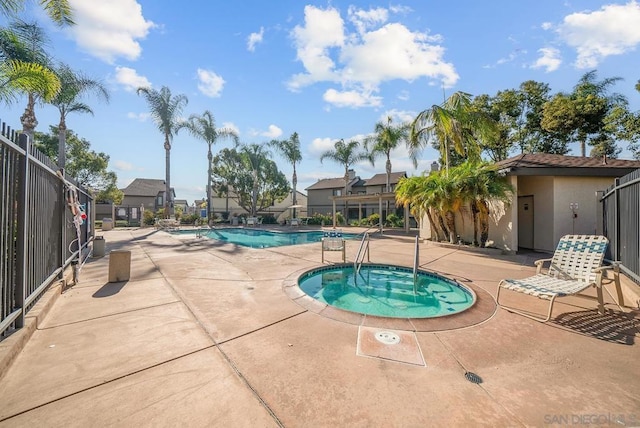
{"x": 387, "y": 291}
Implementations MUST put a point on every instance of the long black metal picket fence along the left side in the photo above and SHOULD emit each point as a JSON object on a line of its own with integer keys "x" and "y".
{"x": 38, "y": 238}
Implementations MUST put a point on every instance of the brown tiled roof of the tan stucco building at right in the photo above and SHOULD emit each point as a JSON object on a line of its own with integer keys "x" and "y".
{"x": 550, "y": 164}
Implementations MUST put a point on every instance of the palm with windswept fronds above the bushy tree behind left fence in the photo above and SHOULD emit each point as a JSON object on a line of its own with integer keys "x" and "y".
{"x": 74, "y": 85}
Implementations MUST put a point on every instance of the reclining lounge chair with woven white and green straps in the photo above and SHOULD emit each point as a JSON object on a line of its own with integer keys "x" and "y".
{"x": 575, "y": 266}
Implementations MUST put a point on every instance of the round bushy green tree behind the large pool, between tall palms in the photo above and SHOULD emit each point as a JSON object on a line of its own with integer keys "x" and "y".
{"x": 249, "y": 177}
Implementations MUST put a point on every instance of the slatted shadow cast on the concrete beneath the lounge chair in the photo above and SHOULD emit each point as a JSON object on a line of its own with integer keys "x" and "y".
{"x": 614, "y": 327}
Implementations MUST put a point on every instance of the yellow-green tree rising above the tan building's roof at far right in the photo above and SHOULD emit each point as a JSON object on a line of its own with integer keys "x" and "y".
{"x": 582, "y": 115}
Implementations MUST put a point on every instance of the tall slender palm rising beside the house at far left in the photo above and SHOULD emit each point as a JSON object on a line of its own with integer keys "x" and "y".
{"x": 165, "y": 111}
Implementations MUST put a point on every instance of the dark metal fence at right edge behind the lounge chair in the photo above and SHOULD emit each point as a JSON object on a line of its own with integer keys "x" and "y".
{"x": 621, "y": 211}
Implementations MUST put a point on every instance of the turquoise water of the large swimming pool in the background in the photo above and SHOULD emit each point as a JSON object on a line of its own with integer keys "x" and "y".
{"x": 256, "y": 238}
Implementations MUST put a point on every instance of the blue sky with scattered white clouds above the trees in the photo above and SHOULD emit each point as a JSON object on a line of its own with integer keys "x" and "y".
{"x": 327, "y": 70}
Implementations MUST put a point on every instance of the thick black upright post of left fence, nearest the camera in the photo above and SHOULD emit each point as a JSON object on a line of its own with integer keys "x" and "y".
{"x": 23, "y": 231}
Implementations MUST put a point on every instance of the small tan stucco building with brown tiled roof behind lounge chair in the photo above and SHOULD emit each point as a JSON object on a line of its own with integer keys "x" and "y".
{"x": 554, "y": 195}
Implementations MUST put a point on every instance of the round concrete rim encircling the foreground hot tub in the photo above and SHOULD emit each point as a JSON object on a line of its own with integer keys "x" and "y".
{"x": 483, "y": 309}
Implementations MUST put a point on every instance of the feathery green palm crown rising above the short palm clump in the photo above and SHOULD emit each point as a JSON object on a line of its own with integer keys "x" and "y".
{"x": 454, "y": 125}
